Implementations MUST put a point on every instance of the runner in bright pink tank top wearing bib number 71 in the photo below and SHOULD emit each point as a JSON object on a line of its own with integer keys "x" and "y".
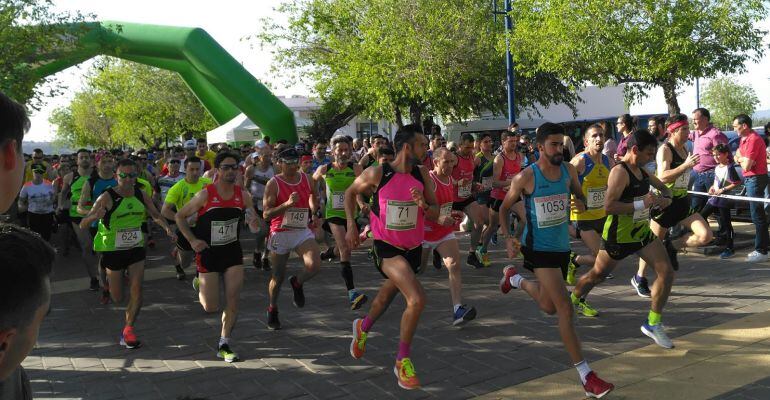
{"x": 399, "y": 203}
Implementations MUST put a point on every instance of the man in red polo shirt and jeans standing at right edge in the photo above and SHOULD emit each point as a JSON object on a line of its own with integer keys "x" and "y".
{"x": 751, "y": 157}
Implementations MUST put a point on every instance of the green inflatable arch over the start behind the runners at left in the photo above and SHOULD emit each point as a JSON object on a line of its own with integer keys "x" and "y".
{"x": 221, "y": 84}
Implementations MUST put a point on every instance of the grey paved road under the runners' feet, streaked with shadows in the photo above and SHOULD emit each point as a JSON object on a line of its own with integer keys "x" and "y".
{"x": 509, "y": 343}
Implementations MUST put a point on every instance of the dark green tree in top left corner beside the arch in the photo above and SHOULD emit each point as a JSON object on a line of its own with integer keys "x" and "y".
{"x": 28, "y": 29}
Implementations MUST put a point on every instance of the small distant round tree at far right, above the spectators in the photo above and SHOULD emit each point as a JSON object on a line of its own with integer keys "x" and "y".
{"x": 725, "y": 98}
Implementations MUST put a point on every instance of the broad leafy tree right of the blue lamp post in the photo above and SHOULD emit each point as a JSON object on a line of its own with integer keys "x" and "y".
{"x": 643, "y": 43}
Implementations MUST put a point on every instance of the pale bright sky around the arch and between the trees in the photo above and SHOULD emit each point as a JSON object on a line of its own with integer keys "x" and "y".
{"x": 229, "y": 21}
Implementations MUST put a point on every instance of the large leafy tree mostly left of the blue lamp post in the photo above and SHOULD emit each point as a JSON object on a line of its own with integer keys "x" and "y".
{"x": 405, "y": 57}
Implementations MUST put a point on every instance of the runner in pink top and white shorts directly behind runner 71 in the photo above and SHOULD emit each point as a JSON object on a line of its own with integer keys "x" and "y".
{"x": 440, "y": 237}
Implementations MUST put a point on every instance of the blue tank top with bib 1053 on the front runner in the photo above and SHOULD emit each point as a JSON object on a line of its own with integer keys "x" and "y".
{"x": 548, "y": 213}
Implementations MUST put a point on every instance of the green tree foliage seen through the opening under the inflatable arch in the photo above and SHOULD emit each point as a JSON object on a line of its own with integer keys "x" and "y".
{"x": 133, "y": 104}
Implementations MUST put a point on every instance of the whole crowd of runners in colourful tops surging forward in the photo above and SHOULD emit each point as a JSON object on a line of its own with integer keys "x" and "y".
{"x": 406, "y": 198}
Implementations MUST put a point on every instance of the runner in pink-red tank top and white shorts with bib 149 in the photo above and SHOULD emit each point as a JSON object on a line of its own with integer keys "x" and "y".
{"x": 290, "y": 201}
